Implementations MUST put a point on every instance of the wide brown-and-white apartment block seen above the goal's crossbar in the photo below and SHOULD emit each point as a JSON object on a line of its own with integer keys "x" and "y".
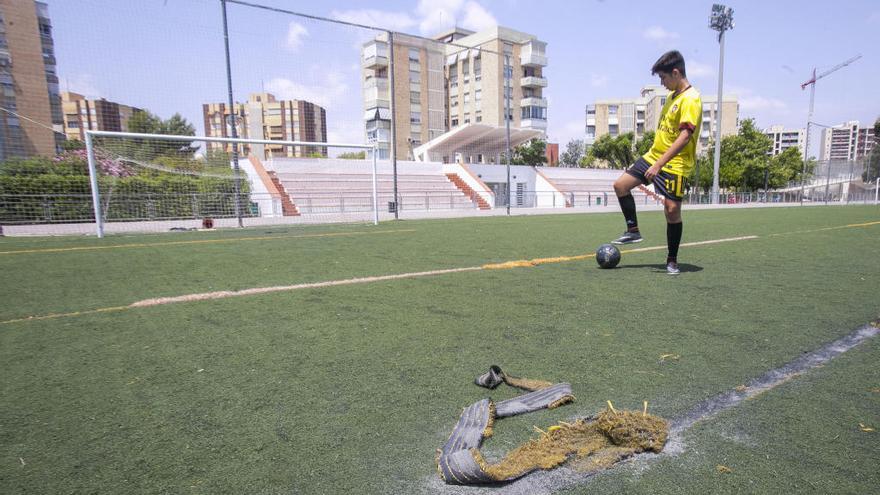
{"x": 264, "y": 117}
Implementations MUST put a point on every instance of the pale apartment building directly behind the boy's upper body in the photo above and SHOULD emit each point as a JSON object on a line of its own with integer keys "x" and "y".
{"x": 642, "y": 114}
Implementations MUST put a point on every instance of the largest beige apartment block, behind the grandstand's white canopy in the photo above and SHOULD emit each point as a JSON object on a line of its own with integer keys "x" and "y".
{"x": 456, "y": 78}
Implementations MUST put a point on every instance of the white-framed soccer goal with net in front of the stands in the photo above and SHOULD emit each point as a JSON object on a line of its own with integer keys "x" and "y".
{"x": 171, "y": 181}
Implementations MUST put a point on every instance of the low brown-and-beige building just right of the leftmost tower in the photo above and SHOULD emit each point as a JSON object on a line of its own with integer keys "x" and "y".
{"x": 82, "y": 114}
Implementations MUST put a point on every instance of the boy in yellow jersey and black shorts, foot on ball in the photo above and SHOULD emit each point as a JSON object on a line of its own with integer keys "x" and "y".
{"x": 670, "y": 159}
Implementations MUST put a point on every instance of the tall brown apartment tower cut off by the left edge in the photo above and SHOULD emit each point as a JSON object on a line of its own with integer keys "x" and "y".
{"x": 32, "y": 123}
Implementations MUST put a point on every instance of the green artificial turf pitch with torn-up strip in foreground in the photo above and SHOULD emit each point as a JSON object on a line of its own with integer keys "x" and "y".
{"x": 352, "y": 388}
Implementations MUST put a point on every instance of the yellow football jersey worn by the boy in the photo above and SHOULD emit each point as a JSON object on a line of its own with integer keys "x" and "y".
{"x": 683, "y": 111}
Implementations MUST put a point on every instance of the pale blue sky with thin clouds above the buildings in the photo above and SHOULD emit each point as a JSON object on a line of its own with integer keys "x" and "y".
{"x": 167, "y": 55}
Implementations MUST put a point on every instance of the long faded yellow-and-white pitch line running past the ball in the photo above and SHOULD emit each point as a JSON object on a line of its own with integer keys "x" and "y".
{"x": 331, "y": 283}
